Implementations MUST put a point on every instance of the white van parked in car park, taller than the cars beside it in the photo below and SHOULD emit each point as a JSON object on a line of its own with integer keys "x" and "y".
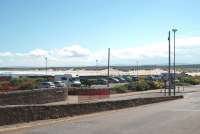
{"x": 68, "y": 80}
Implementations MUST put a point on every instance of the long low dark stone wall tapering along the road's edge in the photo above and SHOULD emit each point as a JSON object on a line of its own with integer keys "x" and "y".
{"x": 19, "y": 114}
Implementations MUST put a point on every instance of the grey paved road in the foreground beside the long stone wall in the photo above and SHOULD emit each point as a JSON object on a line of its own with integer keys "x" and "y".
{"x": 173, "y": 117}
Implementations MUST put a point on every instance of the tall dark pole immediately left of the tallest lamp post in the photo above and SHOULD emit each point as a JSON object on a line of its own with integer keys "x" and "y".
{"x": 169, "y": 67}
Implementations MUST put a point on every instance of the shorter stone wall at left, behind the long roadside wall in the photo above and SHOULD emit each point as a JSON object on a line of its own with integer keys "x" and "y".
{"x": 37, "y": 96}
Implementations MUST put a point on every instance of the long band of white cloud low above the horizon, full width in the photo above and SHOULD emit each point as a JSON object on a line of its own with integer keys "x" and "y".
{"x": 187, "y": 52}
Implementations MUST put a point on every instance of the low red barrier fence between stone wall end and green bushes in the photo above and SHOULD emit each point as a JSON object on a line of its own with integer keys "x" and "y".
{"x": 89, "y": 95}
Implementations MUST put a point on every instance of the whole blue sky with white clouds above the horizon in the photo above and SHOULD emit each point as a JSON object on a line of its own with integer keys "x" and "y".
{"x": 79, "y": 32}
